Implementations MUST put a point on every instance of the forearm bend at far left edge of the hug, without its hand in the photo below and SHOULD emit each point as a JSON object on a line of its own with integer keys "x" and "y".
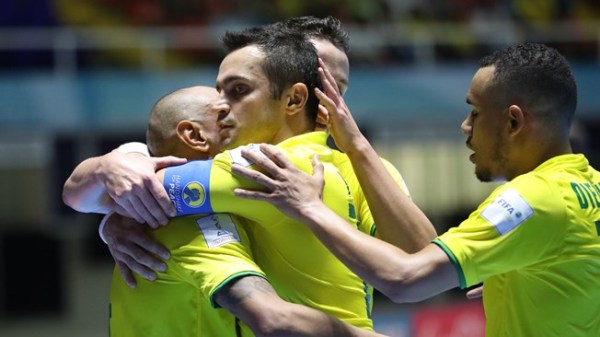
{"x": 83, "y": 191}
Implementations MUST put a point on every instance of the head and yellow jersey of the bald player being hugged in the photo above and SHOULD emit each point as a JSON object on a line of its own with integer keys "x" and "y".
{"x": 206, "y": 251}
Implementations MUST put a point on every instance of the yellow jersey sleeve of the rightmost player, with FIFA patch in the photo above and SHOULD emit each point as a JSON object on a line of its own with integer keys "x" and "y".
{"x": 493, "y": 239}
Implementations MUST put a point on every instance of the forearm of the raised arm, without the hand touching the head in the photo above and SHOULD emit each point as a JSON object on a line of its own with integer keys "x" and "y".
{"x": 399, "y": 221}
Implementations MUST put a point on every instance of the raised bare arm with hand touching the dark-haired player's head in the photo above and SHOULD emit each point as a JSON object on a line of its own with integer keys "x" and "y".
{"x": 398, "y": 220}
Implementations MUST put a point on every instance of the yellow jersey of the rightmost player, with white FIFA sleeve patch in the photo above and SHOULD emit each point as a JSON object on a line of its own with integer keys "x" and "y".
{"x": 540, "y": 265}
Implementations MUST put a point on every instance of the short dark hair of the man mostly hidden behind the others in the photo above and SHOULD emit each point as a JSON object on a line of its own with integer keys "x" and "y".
{"x": 327, "y": 28}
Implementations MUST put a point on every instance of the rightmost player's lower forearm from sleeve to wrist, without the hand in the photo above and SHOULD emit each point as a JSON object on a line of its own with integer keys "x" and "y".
{"x": 400, "y": 276}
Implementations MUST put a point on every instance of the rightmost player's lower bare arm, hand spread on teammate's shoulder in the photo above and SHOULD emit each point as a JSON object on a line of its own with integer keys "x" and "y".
{"x": 401, "y": 276}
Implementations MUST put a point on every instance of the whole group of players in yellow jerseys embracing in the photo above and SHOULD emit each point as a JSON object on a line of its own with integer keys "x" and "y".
{"x": 292, "y": 249}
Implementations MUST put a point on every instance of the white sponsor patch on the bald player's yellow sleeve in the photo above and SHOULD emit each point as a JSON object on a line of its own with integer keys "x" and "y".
{"x": 218, "y": 229}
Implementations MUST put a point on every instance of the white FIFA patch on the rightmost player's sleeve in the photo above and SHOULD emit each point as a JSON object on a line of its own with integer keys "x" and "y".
{"x": 507, "y": 211}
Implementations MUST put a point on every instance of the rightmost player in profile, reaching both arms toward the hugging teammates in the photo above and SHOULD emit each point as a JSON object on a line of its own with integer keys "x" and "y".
{"x": 534, "y": 242}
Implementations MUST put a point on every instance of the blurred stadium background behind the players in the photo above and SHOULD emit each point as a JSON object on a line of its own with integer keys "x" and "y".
{"x": 77, "y": 78}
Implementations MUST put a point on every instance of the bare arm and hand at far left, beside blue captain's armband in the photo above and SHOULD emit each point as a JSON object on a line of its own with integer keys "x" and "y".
{"x": 121, "y": 182}
